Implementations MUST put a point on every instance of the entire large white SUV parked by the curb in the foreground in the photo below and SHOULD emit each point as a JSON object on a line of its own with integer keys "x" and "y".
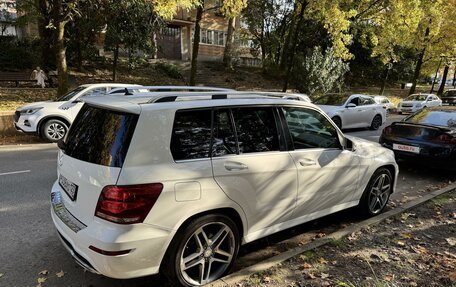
{"x": 175, "y": 182}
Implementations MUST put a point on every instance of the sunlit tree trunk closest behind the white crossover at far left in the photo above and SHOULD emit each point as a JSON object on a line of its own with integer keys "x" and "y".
{"x": 62, "y": 68}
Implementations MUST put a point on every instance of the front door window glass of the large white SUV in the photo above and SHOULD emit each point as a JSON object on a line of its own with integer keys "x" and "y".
{"x": 310, "y": 129}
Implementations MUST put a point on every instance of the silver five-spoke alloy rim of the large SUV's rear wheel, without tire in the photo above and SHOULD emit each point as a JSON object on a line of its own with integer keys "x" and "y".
{"x": 207, "y": 253}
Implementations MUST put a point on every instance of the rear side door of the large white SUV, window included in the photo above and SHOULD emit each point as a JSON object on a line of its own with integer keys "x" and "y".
{"x": 252, "y": 167}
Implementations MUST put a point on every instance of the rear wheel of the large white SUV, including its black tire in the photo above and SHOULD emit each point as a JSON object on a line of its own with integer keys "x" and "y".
{"x": 185, "y": 240}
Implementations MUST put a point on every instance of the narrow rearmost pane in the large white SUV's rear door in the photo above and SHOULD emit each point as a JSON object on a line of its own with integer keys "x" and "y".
{"x": 224, "y": 140}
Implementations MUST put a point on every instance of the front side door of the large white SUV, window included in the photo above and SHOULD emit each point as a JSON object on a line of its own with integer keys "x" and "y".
{"x": 327, "y": 174}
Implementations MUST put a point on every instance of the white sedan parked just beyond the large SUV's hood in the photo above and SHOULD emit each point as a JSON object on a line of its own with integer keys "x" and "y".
{"x": 352, "y": 110}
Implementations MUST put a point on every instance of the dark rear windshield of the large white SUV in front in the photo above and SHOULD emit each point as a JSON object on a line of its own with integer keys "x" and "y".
{"x": 100, "y": 136}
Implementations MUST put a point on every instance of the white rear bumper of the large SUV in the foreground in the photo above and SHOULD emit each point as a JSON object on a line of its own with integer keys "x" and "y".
{"x": 147, "y": 243}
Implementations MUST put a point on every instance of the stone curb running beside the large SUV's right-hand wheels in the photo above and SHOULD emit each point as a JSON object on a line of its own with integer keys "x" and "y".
{"x": 232, "y": 279}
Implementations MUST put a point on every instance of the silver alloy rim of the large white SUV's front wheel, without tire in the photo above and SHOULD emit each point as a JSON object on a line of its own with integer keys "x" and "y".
{"x": 379, "y": 193}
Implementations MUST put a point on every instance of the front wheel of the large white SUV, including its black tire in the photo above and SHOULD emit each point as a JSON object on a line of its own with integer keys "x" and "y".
{"x": 375, "y": 198}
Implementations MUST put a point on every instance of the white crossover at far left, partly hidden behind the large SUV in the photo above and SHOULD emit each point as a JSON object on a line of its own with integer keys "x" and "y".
{"x": 51, "y": 120}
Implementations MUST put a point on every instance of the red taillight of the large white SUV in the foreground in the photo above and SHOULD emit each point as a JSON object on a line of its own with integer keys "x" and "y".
{"x": 127, "y": 204}
